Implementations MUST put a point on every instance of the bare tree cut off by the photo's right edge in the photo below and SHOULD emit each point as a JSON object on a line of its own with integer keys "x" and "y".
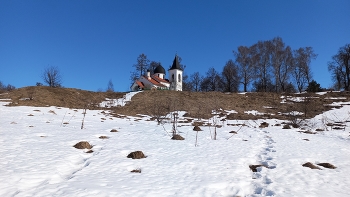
{"x": 340, "y": 67}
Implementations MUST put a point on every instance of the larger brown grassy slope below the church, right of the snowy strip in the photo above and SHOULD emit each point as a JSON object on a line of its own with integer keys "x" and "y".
{"x": 201, "y": 104}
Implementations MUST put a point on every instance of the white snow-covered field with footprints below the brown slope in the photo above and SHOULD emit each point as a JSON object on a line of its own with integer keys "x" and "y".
{"x": 37, "y": 157}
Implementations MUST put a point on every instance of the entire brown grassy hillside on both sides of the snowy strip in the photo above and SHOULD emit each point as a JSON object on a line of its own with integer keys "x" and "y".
{"x": 196, "y": 104}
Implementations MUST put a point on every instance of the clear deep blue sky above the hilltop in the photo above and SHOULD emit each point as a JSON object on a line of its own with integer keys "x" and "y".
{"x": 92, "y": 42}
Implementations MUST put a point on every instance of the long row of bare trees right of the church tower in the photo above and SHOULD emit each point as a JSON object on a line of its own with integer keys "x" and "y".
{"x": 267, "y": 66}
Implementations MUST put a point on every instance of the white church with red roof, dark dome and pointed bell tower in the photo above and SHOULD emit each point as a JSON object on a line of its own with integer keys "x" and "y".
{"x": 157, "y": 81}
